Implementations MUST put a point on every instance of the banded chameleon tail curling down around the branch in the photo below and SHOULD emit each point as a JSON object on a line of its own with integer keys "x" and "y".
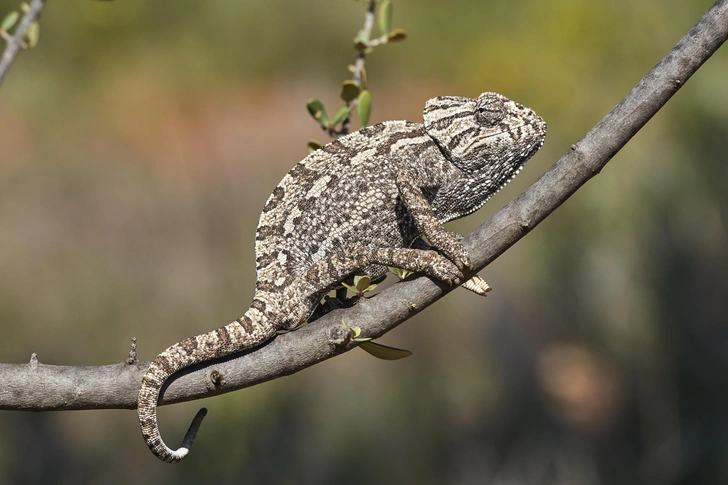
{"x": 248, "y": 331}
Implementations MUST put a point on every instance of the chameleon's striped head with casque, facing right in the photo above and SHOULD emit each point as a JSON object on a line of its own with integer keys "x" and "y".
{"x": 490, "y": 134}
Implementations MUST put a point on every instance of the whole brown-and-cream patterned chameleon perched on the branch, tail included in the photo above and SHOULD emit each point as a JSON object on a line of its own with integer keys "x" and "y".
{"x": 356, "y": 206}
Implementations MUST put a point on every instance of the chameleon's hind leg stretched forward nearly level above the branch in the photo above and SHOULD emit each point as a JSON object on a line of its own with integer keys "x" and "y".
{"x": 341, "y": 266}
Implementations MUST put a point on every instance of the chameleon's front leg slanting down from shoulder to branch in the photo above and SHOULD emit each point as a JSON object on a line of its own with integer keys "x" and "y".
{"x": 427, "y": 223}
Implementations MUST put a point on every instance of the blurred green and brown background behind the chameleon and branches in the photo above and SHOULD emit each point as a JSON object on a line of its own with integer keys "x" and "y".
{"x": 141, "y": 138}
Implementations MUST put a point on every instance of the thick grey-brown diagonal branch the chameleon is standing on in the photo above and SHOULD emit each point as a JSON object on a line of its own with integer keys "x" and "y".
{"x": 41, "y": 387}
